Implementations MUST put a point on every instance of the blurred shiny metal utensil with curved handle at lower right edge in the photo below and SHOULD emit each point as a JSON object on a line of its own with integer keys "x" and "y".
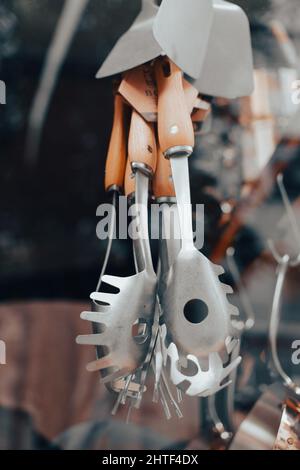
{"x": 274, "y": 421}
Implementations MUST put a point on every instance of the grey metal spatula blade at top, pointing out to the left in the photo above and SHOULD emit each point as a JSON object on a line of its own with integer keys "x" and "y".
{"x": 136, "y": 46}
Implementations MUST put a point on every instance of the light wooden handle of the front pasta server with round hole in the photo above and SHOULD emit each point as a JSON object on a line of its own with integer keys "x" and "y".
{"x": 175, "y": 128}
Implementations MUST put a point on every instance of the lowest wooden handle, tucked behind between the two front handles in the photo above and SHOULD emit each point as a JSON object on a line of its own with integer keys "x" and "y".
{"x": 162, "y": 182}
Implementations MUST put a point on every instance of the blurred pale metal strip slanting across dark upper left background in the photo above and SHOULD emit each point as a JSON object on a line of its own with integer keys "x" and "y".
{"x": 64, "y": 33}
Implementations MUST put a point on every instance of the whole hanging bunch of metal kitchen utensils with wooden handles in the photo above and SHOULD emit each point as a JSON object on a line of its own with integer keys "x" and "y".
{"x": 166, "y": 58}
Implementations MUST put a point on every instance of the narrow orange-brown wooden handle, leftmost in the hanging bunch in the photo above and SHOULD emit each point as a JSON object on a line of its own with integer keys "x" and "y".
{"x": 116, "y": 157}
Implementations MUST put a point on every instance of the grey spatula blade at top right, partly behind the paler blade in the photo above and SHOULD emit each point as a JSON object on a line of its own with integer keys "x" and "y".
{"x": 227, "y": 69}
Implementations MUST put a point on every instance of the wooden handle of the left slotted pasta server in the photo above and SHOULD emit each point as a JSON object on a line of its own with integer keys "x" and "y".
{"x": 142, "y": 143}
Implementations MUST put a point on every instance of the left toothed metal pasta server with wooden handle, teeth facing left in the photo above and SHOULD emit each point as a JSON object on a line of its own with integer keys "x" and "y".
{"x": 134, "y": 304}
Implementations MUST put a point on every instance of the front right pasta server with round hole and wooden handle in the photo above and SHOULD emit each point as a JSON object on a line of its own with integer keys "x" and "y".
{"x": 196, "y": 311}
